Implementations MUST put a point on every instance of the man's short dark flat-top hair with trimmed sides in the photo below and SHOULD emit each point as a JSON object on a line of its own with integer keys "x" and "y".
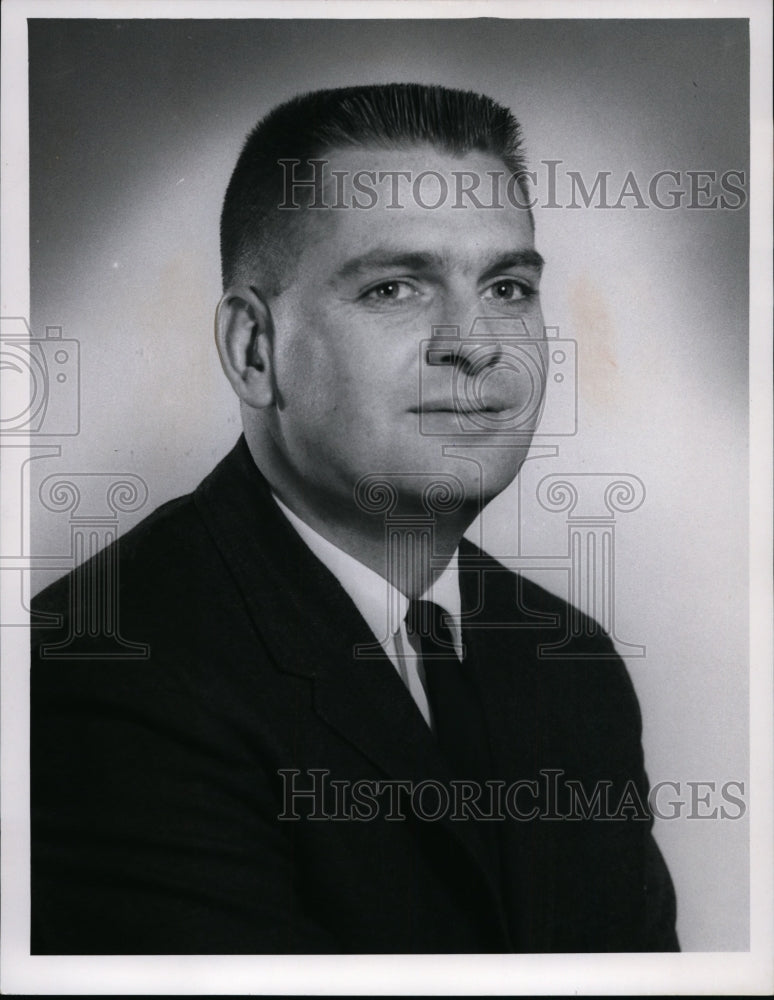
{"x": 256, "y": 237}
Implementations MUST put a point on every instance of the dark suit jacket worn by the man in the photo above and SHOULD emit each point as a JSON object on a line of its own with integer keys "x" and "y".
{"x": 157, "y": 784}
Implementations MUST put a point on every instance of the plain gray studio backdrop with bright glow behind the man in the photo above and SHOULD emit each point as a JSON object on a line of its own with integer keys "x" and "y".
{"x": 134, "y": 128}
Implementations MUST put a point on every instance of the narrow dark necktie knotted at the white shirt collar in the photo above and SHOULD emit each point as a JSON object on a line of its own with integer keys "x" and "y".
{"x": 455, "y": 703}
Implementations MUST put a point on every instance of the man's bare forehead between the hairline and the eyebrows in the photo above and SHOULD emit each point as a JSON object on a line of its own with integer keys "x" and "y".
{"x": 416, "y": 206}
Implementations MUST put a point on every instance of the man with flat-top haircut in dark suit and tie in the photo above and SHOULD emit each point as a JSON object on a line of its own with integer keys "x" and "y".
{"x": 347, "y": 736}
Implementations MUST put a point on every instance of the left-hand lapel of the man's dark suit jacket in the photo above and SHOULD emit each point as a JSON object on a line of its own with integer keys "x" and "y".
{"x": 311, "y": 628}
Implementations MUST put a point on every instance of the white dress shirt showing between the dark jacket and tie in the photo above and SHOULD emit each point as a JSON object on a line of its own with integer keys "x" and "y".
{"x": 384, "y": 607}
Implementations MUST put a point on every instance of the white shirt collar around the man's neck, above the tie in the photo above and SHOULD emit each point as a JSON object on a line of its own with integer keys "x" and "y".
{"x": 382, "y": 605}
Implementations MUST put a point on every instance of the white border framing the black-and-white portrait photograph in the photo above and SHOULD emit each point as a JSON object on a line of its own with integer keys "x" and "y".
{"x": 700, "y": 972}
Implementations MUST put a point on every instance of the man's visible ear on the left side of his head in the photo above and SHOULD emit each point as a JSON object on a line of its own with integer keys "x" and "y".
{"x": 243, "y": 332}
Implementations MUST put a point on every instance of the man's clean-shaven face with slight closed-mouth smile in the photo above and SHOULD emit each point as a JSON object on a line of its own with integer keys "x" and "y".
{"x": 360, "y": 391}
